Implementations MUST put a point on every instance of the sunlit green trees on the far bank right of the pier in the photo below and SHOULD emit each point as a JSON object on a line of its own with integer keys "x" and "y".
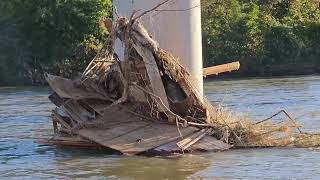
{"x": 269, "y": 37}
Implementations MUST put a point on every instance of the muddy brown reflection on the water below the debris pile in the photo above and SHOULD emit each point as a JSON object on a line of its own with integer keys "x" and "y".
{"x": 158, "y": 168}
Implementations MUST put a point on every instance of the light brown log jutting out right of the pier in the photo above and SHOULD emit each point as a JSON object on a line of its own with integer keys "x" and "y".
{"x": 215, "y": 70}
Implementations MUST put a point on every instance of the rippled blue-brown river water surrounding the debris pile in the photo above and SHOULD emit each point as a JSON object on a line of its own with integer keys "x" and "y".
{"x": 25, "y": 115}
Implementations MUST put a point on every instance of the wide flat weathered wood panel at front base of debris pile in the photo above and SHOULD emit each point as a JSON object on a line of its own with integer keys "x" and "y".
{"x": 135, "y": 137}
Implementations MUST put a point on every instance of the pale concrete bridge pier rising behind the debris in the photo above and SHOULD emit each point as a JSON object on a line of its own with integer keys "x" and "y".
{"x": 176, "y": 26}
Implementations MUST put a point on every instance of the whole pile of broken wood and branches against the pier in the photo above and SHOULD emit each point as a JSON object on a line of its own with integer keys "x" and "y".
{"x": 147, "y": 103}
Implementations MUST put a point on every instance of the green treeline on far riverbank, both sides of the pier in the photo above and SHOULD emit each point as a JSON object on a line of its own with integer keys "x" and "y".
{"x": 270, "y": 37}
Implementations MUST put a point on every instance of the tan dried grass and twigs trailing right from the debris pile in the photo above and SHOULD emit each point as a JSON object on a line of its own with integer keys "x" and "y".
{"x": 243, "y": 132}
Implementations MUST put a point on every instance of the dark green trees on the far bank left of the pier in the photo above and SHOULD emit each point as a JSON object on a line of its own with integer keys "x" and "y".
{"x": 41, "y": 35}
